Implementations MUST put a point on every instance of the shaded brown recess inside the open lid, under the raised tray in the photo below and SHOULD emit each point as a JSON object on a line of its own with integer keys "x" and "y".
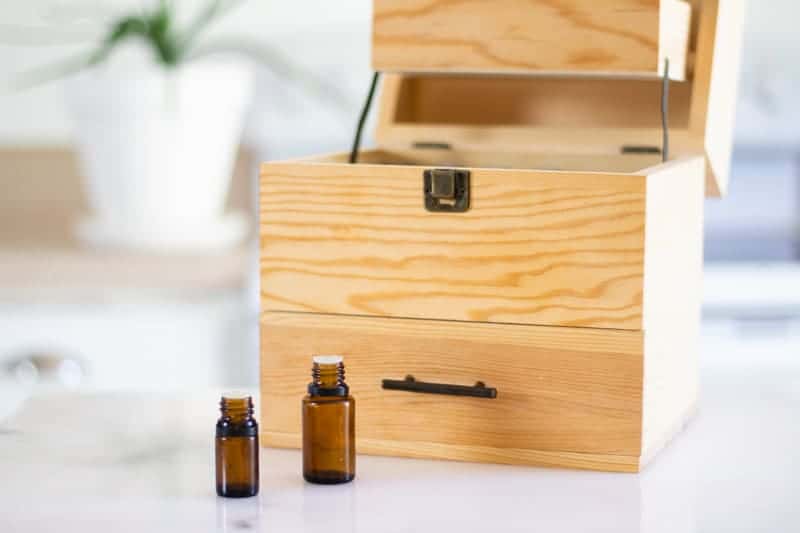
{"x": 539, "y": 102}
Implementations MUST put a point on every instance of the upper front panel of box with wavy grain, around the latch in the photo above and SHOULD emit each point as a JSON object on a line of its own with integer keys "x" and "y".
{"x": 536, "y": 247}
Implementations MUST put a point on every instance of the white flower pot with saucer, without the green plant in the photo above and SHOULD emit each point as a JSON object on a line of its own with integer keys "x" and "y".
{"x": 157, "y": 148}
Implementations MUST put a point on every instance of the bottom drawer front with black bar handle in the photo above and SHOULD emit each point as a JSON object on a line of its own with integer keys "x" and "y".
{"x": 558, "y": 389}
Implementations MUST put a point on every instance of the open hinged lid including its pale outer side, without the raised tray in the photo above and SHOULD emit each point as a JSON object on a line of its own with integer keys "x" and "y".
{"x": 583, "y": 114}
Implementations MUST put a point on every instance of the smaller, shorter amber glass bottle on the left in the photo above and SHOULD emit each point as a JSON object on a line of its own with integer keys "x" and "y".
{"x": 237, "y": 448}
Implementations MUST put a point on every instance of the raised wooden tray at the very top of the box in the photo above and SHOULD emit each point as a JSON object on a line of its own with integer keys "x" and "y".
{"x": 623, "y": 37}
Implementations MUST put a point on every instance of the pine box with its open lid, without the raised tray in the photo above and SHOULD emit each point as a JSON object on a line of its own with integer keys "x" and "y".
{"x": 563, "y": 299}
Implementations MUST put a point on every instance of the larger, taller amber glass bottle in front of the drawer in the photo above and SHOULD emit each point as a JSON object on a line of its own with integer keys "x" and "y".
{"x": 329, "y": 412}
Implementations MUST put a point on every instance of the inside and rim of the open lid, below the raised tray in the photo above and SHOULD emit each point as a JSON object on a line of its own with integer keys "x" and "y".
{"x": 546, "y": 113}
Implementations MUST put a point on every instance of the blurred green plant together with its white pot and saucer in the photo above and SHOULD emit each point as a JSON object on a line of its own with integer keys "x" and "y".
{"x": 158, "y": 119}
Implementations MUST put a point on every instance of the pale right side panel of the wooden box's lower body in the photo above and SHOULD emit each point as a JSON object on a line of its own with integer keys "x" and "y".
{"x": 672, "y": 293}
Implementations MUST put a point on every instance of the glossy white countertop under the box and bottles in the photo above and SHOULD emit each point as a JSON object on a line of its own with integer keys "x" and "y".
{"x": 143, "y": 462}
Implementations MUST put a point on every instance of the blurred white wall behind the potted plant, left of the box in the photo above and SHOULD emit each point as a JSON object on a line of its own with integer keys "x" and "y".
{"x": 329, "y": 38}
